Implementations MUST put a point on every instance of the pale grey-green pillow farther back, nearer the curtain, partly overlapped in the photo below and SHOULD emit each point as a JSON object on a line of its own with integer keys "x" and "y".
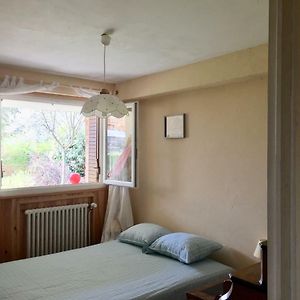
{"x": 142, "y": 234}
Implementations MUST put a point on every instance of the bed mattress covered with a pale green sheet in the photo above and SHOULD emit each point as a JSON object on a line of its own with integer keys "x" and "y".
{"x": 111, "y": 270}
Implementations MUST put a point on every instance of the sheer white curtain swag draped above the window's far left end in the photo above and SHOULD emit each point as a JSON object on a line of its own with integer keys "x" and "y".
{"x": 12, "y": 85}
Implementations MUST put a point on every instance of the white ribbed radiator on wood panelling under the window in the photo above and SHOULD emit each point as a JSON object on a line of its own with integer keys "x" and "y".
{"x": 56, "y": 229}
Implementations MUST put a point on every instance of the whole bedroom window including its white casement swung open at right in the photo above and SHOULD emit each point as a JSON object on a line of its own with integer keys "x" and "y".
{"x": 46, "y": 143}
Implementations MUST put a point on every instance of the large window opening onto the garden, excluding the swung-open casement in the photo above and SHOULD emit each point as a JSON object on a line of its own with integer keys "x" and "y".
{"x": 44, "y": 144}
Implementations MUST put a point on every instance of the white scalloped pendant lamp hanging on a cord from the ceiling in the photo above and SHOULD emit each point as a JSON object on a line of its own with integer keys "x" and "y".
{"x": 104, "y": 104}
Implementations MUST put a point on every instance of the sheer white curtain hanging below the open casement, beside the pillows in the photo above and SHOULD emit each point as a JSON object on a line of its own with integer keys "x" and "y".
{"x": 118, "y": 215}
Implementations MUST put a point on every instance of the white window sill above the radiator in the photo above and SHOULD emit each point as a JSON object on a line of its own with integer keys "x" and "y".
{"x": 49, "y": 189}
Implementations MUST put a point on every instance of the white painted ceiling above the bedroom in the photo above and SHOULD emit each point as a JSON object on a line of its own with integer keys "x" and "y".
{"x": 63, "y": 36}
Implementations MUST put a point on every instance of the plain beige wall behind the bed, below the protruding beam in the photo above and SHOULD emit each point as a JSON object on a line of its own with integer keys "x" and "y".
{"x": 213, "y": 182}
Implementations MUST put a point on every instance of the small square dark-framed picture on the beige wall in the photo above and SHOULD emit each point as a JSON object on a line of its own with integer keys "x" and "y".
{"x": 175, "y": 126}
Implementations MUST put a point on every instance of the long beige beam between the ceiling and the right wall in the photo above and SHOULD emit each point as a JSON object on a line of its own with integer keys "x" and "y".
{"x": 227, "y": 68}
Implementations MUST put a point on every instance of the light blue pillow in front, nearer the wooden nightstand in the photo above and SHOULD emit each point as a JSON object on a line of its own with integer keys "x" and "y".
{"x": 185, "y": 247}
